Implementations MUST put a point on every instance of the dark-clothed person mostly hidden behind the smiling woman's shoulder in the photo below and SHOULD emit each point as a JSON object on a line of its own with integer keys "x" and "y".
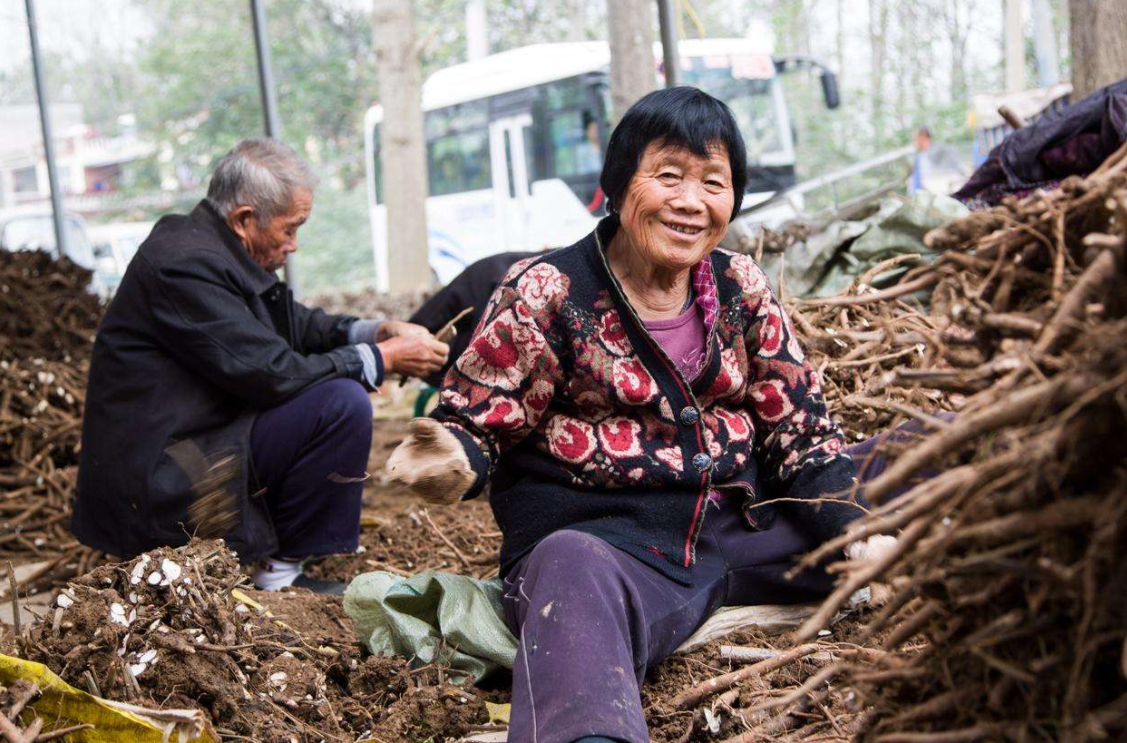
{"x": 471, "y": 289}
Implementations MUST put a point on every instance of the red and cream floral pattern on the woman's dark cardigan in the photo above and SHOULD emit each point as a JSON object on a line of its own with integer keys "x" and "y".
{"x": 601, "y": 415}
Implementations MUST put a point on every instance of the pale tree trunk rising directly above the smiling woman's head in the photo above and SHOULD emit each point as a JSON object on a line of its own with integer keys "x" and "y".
{"x": 632, "y": 37}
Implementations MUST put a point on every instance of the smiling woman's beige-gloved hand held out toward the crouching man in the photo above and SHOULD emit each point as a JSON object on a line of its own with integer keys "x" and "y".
{"x": 432, "y": 464}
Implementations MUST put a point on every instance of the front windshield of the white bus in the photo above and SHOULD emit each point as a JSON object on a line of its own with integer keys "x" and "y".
{"x": 752, "y": 101}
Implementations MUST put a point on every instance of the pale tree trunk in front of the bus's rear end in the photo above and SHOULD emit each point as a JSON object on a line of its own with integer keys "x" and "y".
{"x": 403, "y": 152}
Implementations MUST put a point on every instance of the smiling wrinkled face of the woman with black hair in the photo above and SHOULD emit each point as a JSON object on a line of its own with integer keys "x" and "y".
{"x": 678, "y": 205}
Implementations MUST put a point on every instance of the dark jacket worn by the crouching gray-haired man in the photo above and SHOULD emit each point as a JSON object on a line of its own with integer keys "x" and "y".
{"x": 198, "y": 340}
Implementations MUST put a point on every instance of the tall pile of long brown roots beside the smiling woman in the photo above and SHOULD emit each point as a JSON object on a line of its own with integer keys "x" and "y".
{"x": 1008, "y": 611}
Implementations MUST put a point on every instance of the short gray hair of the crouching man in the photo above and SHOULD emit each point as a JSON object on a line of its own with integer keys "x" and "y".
{"x": 261, "y": 173}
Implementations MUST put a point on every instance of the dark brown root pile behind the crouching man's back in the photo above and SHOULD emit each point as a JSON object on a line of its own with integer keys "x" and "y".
{"x": 48, "y": 321}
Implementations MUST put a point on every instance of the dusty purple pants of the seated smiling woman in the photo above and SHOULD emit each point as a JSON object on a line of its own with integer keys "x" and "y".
{"x": 591, "y": 620}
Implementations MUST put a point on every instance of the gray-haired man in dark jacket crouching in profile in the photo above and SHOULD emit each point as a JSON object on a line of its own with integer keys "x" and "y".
{"x": 205, "y": 357}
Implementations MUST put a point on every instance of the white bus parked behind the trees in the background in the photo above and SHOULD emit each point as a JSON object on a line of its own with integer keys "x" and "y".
{"x": 516, "y": 144}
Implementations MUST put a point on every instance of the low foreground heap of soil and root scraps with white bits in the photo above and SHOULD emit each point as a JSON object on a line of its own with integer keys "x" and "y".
{"x": 180, "y": 629}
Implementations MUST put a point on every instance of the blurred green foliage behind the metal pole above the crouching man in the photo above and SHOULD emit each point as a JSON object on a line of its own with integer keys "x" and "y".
{"x": 201, "y": 89}
